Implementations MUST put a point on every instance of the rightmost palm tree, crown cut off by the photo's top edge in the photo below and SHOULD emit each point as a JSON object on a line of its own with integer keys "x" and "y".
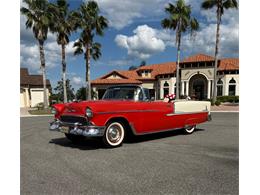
{"x": 220, "y": 5}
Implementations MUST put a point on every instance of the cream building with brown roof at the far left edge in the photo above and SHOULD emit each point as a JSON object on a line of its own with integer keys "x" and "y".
{"x": 31, "y": 89}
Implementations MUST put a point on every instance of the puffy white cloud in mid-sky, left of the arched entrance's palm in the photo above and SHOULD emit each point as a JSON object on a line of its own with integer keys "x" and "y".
{"x": 145, "y": 42}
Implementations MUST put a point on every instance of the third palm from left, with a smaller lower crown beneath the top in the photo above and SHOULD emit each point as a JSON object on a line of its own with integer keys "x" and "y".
{"x": 88, "y": 19}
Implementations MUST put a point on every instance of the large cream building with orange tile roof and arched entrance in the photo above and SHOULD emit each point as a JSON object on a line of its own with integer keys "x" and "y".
{"x": 196, "y": 78}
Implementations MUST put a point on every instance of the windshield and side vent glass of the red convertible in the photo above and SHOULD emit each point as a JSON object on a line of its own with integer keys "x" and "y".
{"x": 127, "y": 93}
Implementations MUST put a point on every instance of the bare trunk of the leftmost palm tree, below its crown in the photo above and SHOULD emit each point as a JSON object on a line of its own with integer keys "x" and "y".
{"x": 42, "y": 59}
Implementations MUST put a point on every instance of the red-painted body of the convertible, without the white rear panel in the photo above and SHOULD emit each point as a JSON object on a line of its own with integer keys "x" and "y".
{"x": 142, "y": 117}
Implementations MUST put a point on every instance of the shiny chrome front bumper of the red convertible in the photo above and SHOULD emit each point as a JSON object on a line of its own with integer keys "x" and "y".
{"x": 77, "y": 129}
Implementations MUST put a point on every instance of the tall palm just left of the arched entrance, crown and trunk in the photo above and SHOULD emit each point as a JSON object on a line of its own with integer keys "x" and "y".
{"x": 179, "y": 20}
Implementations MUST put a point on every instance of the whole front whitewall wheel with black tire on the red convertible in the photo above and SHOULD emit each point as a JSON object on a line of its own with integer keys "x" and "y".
{"x": 114, "y": 134}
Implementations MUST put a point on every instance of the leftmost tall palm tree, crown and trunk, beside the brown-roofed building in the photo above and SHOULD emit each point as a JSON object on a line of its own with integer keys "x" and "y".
{"x": 38, "y": 19}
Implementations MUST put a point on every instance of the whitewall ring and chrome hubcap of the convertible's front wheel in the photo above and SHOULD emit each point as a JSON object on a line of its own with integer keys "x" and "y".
{"x": 115, "y": 134}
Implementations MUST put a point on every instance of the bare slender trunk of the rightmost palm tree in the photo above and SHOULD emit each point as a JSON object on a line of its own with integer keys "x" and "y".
{"x": 214, "y": 96}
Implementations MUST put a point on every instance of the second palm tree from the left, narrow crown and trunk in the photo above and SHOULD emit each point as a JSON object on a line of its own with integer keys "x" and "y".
{"x": 63, "y": 26}
